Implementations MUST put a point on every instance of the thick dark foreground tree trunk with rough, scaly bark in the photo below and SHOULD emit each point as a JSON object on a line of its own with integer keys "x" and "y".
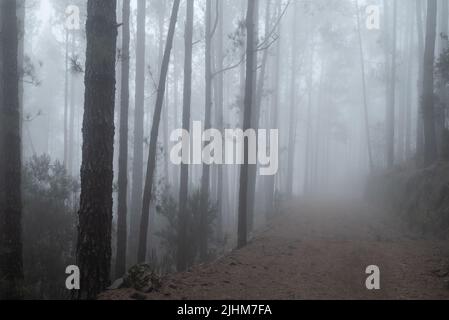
{"x": 95, "y": 213}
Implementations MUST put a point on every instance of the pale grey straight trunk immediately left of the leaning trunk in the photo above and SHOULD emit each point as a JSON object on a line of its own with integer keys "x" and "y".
{"x": 137, "y": 174}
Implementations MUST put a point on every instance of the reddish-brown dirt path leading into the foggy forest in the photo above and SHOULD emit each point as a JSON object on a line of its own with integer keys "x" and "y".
{"x": 320, "y": 251}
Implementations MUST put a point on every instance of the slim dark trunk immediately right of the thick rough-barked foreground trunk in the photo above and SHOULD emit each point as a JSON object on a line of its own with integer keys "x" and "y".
{"x": 123, "y": 152}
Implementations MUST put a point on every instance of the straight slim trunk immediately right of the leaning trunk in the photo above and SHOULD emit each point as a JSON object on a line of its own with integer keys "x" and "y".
{"x": 181, "y": 262}
